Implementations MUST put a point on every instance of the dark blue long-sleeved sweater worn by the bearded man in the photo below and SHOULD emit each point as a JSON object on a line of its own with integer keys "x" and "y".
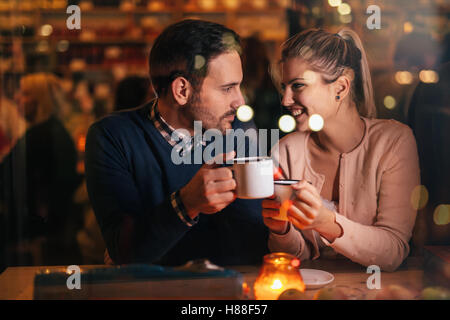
{"x": 130, "y": 177}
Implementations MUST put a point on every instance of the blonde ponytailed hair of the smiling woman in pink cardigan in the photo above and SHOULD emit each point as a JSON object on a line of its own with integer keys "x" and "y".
{"x": 332, "y": 55}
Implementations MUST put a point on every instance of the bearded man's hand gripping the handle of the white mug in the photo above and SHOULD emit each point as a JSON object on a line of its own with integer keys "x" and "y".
{"x": 210, "y": 190}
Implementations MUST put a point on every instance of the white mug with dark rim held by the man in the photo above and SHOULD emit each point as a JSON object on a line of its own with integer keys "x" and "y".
{"x": 254, "y": 177}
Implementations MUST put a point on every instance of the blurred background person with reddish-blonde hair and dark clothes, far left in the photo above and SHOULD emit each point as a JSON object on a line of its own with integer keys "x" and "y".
{"x": 38, "y": 181}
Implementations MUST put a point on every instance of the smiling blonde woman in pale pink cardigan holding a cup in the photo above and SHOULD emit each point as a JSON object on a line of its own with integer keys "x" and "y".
{"x": 364, "y": 167}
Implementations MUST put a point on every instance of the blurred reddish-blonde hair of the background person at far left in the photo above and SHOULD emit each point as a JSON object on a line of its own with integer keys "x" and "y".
{"x": 46, "y": 90}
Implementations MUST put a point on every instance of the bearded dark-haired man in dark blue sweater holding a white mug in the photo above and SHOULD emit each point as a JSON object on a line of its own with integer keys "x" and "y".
{"x": 149, "y": 208}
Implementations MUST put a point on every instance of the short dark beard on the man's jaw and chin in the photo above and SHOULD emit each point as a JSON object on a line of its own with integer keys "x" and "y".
{"x": 197, "y": 111}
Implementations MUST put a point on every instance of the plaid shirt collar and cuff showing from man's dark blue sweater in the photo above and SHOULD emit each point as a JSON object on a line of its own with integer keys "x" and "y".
{"x": 172, "y": 136}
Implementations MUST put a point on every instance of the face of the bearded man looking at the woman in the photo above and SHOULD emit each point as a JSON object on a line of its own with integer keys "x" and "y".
{"x": 220, "y": 94}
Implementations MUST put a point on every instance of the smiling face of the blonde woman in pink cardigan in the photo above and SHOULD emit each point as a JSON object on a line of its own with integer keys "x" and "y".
{"x": 305, "y": 93}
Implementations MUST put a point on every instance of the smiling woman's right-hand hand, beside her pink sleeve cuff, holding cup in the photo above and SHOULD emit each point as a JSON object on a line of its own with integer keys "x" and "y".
{"x": 307, "y": 210}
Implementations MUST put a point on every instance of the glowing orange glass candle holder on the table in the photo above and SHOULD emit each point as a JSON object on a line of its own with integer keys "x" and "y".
{"x": 279, "y": 273}
